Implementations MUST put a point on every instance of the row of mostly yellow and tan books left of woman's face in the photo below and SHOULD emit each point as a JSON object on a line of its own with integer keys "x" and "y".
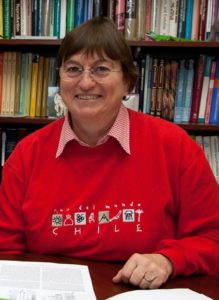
{"x": 24, "y": 82}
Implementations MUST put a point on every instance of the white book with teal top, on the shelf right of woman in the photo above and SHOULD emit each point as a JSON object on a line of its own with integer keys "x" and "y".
{"x": 205, "y": 86}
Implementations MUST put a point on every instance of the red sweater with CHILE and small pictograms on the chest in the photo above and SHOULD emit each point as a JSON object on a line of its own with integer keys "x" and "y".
{"x": 102, "y": 203}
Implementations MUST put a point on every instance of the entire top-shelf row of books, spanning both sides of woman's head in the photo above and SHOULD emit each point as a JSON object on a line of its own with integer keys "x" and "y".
{"x": 189, "y": 19}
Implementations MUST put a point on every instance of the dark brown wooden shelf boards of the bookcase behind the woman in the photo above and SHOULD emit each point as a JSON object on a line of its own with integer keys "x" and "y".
{"x": 51, "y": 46}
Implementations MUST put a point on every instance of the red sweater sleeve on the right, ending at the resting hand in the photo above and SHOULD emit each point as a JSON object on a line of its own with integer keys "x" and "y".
{"x": 196, "y": 247}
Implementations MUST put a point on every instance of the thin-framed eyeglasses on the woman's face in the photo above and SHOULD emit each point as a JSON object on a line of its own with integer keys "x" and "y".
{"x": 98, "y": 73}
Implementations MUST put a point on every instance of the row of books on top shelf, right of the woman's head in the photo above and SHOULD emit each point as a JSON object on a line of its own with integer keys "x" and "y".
{"x": 187, "y": 19}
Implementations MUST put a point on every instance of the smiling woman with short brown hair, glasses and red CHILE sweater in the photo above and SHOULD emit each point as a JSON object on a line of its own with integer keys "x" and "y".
{"x": 108, "y": 183}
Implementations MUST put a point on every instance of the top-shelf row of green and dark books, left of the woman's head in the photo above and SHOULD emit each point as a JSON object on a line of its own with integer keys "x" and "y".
{"x": 45, "y": 18}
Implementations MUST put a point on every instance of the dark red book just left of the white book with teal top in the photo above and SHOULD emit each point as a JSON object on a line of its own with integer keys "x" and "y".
{"x": 197, "y": 88}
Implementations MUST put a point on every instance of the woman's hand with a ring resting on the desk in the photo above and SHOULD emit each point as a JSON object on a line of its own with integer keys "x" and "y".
{"x": 145, "y": 270}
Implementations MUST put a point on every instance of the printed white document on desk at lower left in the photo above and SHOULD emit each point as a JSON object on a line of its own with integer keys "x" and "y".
{"x": 42, "y": 281}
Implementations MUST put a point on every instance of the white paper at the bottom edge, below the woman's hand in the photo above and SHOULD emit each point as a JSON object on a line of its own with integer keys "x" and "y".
{"x": 160, "y": 294}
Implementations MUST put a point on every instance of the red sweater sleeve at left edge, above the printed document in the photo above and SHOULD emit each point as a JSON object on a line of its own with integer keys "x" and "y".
{"x": 12, "y": 224}
